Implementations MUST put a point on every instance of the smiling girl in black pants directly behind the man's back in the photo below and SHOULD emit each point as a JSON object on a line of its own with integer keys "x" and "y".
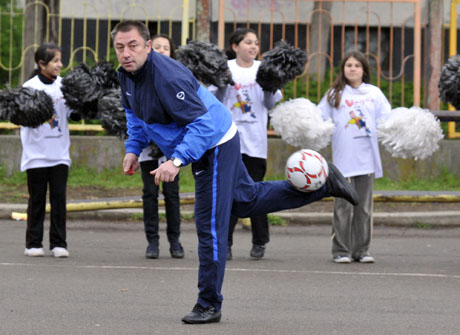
{"x": 249, "y": 106}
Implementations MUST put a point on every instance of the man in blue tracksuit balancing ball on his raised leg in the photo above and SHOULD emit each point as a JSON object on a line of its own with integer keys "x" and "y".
{"x": 166, "y": 104}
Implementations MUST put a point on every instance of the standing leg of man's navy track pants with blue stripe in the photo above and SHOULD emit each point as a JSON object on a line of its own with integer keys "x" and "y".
{"x": 215, "y": 177}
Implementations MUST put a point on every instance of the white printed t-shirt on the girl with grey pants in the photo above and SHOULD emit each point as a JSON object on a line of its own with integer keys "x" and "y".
{"x": 355, "y": 149}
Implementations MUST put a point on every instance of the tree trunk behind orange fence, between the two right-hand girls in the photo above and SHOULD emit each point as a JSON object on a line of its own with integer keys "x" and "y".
{"x": 319, "y": 38}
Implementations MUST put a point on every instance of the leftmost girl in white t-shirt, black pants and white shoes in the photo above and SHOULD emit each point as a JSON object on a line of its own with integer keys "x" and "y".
{"x": 46, "y": 158}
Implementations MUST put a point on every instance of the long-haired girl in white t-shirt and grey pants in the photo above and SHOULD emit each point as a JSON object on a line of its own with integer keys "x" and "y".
{"x": 356, "y": 107}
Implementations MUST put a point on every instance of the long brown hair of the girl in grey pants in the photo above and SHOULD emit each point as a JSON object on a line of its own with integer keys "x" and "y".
{"x": 334, "y": 94}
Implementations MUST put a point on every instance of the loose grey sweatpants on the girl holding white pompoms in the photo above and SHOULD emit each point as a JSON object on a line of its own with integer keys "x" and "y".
{"x": 352, "y": 225}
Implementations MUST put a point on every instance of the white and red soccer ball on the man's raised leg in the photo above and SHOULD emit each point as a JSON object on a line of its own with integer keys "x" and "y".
{"x": 306, "y": 170}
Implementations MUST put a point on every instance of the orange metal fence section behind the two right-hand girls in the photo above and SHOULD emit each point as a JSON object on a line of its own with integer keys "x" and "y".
{"x": 388, "y": 32}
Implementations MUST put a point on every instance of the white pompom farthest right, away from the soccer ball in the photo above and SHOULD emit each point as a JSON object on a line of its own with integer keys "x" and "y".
{"x": 410, "y": 132}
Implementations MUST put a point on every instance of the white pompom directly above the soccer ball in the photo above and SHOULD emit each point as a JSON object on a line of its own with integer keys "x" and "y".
{"x": 299, "y": 123}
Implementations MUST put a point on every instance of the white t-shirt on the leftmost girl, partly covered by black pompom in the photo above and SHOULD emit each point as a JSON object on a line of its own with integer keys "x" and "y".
{"x": 48, "y": 144}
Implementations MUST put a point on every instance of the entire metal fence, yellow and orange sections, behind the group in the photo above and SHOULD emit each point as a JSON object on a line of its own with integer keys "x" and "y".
{"x": 389, "y": 32}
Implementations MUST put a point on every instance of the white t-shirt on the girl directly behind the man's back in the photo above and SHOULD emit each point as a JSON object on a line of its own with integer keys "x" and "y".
{"x": 245, "y": 100}
